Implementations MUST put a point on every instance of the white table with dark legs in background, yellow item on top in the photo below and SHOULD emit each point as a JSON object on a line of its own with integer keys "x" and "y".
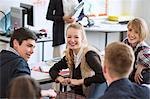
{"x": 109, "y": 28}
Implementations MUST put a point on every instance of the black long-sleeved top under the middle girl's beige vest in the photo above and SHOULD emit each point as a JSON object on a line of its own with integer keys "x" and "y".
{"x": 93, "y": 61}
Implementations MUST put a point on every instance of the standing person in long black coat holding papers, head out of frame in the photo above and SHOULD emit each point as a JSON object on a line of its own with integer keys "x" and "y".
{"x": 60, "y": 12}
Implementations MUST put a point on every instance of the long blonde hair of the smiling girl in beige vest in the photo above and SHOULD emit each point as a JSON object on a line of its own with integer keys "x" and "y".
{"x": 69, "y": 52}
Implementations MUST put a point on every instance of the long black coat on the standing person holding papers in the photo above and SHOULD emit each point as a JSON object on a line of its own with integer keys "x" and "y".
{"x": 55, "y": 13}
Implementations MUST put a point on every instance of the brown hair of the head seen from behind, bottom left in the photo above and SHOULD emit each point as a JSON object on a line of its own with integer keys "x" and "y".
{"x": 24, "y": 87}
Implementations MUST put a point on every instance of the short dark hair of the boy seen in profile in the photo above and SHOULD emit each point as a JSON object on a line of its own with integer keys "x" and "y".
{"x": 22, "y": 34}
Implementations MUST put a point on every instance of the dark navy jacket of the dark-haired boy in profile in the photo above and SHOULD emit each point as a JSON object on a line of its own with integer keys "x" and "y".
{"x": 11, "y": 66}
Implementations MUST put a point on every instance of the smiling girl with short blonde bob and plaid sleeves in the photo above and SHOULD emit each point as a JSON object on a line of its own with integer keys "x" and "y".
{"x": 136, "y": 35}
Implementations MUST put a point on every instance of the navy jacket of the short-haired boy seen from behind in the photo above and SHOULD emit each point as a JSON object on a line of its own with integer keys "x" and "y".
{"x": 125, "y": 89}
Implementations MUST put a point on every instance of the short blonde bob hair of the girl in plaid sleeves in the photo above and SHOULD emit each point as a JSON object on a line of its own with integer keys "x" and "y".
{"x": 139, "y": 25}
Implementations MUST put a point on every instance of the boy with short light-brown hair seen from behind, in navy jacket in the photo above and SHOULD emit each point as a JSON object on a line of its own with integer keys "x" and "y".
{"x": 118, "y": 64}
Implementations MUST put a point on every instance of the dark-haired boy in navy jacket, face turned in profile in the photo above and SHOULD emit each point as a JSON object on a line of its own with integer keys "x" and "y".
{"x": 13, "y": 62}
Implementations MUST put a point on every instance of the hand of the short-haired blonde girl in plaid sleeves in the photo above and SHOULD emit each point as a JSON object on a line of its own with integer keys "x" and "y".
{"x": 138, "y": 76}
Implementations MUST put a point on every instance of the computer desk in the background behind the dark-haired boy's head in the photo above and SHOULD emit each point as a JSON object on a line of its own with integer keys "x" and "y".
{"x": 42, "y": 40}
